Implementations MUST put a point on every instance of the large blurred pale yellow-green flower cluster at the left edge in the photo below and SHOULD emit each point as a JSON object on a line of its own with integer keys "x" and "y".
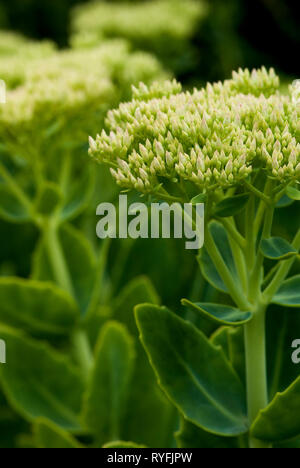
{"x": 74, "y": 89}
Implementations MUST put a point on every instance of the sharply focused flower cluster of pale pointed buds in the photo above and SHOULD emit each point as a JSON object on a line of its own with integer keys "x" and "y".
{"x": 217, "y": 136}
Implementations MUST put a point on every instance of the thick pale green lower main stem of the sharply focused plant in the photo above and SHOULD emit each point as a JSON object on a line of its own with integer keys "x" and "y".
{"x": 256, "y": 368}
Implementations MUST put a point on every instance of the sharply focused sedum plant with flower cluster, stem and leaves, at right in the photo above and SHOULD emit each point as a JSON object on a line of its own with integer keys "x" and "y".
{"x": 234, "y": 146}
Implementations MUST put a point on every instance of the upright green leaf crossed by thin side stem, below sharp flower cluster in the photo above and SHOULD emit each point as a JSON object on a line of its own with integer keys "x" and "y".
{"x": 208, "y": 268}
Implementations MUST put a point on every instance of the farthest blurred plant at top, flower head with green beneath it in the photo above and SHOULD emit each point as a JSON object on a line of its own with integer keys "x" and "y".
{"x": 163, "y": 27}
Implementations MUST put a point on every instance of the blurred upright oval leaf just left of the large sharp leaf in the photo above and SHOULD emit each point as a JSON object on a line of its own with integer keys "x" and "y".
{"x": 108, "y": 389}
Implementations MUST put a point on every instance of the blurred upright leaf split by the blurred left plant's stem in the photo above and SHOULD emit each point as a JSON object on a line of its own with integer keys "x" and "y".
{"x": 80, "y": 260}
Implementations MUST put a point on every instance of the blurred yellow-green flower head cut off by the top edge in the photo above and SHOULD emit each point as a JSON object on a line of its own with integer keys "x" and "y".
{"x": 141, "y": 23}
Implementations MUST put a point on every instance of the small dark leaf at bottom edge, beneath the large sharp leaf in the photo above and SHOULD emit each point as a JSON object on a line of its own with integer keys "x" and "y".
{"x": 191, "y": 436}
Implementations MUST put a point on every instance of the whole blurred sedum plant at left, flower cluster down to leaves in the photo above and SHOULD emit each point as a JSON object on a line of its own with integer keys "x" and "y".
{"x": 50, "y": 318}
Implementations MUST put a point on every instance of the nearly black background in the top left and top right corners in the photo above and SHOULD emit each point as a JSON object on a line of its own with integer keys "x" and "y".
{"x": 237, "y": 33}
